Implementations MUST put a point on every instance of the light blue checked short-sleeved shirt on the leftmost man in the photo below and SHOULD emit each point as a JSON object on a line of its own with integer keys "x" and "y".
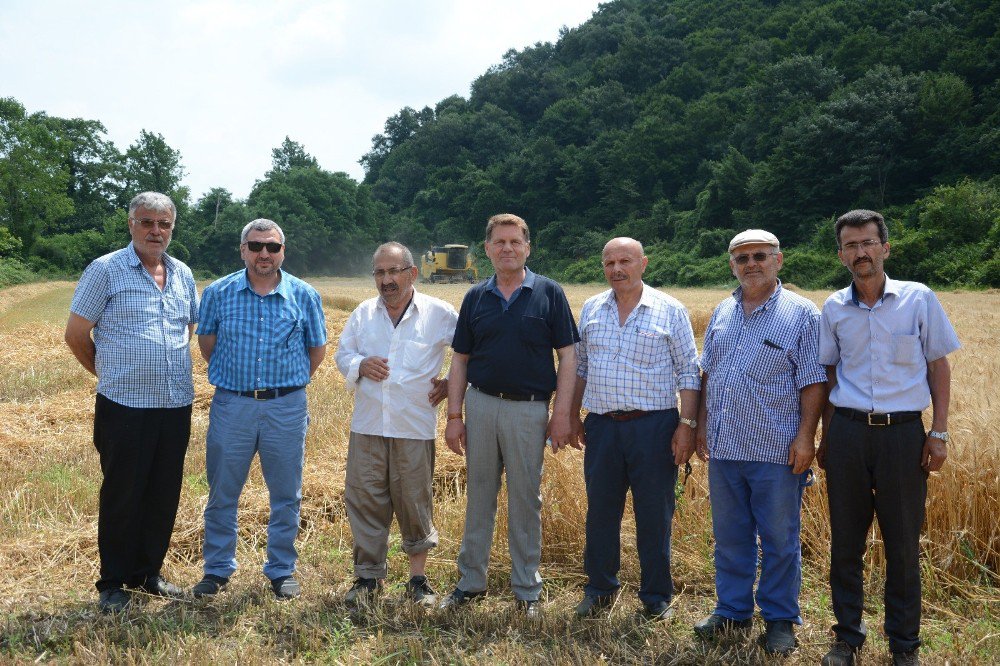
{"x": 140, "y": 333}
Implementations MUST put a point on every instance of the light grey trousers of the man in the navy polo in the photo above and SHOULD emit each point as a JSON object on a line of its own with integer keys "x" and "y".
{"x": 503, "y": 436}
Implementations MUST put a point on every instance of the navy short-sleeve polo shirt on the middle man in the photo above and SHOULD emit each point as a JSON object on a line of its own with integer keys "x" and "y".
{"x": 510, "y": 350}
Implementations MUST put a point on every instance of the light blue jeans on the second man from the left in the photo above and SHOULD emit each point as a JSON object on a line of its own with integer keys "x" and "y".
{"x": 239, "y": 428}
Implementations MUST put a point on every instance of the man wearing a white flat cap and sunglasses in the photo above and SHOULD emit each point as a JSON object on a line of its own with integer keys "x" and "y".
{"x": 763, "y": 390}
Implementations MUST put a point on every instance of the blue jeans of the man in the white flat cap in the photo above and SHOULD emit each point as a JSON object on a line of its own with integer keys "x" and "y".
{"x": 752, "y": 500}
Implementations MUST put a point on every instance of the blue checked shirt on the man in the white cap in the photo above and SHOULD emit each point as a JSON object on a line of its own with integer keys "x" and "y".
{"x": 756, "y": 366}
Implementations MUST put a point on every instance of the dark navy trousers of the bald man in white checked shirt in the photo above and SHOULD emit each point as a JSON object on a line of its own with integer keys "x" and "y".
{"x": 621, "y": 455}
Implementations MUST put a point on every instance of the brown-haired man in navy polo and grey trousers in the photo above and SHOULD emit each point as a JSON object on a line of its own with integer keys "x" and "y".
{"x": 507, "y": 329}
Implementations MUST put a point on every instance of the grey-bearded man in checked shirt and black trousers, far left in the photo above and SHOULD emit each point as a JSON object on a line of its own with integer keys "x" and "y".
{"x": 140, "y": 306}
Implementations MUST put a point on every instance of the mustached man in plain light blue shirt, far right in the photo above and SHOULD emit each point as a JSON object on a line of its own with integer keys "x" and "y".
{"x": 885, "y": 344}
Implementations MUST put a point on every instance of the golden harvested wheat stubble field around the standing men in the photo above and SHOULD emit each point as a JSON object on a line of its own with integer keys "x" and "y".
{"x": 49, "y": 478}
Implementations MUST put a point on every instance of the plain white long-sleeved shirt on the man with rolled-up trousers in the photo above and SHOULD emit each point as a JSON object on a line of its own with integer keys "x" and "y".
{"x": 398, "y": 405}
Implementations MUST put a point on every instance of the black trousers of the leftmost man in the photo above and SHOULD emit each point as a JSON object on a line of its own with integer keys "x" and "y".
{"x": 142, "y": 458}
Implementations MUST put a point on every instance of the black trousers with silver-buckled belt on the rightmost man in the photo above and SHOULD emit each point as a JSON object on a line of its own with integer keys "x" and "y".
{"x": 876, "y": 469}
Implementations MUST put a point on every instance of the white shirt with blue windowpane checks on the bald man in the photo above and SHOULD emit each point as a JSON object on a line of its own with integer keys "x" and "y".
{"x": 642, "y": 364}
